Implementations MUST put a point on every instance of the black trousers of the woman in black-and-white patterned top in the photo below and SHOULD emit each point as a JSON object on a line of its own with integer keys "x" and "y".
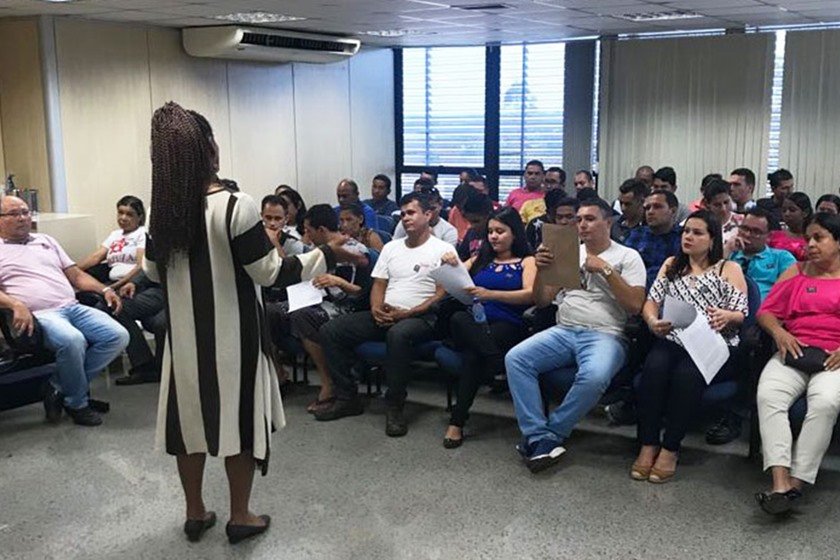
{"x": 671, "y": 387}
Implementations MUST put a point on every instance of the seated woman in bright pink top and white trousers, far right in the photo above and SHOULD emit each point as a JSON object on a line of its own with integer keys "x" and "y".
{"x": 802, "y": 314}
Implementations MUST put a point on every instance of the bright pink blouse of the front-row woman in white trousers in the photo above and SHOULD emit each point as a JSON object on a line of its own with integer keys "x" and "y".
{"x": 809, "y": 308}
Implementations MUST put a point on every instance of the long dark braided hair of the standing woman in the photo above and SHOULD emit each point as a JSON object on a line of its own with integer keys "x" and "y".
{"x": 183, "y": 165}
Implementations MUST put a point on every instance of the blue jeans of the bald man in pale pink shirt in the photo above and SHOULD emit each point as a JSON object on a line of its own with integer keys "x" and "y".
{"x": 84, "y": 341}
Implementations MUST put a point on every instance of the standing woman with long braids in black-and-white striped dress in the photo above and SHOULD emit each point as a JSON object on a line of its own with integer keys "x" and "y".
{"x": 209, "y": 249}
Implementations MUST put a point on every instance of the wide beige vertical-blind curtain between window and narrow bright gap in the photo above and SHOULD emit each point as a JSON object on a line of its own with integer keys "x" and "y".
{"x": 698, "y": 104}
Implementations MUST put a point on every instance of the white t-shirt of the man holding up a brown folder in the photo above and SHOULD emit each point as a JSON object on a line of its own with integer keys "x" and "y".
{"x": 596, "y": 307}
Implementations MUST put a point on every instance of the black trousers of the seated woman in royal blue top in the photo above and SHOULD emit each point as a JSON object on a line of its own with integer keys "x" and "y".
{"x": 484, "y": 348}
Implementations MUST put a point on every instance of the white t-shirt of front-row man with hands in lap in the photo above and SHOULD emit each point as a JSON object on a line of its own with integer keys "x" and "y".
{"x": 407, "y": 271}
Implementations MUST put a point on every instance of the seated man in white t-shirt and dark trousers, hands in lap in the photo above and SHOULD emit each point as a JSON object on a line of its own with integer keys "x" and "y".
{"x": 401, "y": 314}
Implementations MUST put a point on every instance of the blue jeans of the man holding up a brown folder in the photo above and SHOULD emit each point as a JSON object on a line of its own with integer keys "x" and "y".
{"x": 598, "y": 356}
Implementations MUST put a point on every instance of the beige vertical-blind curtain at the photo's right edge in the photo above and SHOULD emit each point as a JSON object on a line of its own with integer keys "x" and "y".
{"x": 810, "y": 135}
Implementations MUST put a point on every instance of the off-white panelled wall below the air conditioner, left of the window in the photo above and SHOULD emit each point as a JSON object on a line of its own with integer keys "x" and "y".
{"x": 300, "y": 124}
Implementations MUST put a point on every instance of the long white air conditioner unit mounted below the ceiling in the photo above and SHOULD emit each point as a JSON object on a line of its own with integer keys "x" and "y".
{"x": 270, "y": 45}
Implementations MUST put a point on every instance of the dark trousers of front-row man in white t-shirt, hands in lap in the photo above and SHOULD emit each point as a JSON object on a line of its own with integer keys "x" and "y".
{"x": 341, "y": 336}
